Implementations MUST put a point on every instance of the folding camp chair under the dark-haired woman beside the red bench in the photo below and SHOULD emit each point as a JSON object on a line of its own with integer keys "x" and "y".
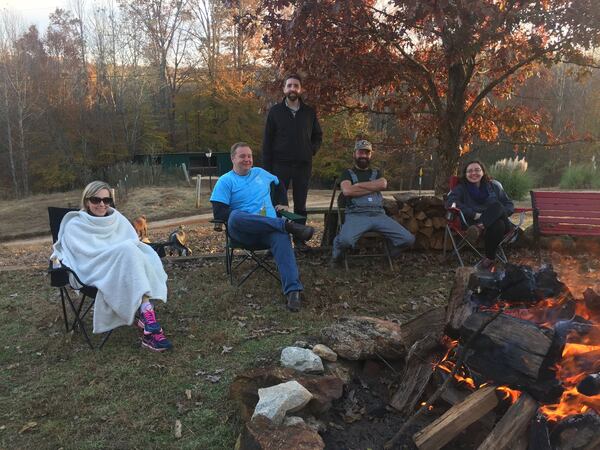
{"x": 456, "y": 227}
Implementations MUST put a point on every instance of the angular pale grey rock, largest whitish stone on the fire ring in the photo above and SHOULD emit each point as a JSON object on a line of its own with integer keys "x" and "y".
{"x": 275, "y": 401}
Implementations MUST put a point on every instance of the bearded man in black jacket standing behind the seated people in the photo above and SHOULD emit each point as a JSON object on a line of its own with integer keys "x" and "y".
{"x": 292, "y": 137}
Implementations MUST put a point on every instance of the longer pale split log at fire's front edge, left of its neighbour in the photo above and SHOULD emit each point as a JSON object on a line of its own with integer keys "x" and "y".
{"x": 457, "y": 419}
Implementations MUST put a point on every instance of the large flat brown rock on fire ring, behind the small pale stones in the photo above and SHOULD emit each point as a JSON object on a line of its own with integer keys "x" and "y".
{"x": 358, "y": 338}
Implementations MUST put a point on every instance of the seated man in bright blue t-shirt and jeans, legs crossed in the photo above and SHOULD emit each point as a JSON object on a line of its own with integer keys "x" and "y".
{"x": 242, "y": 198}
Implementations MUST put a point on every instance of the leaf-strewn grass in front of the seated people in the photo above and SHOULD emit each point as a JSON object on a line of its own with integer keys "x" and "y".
{"x": 127, "y": 397}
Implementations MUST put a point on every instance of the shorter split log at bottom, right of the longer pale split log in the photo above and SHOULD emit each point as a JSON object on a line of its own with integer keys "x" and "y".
{"x": 512, "y": 426}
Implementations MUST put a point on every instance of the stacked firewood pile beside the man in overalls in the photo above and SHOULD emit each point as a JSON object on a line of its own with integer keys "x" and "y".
{"x": 424, "y": 217}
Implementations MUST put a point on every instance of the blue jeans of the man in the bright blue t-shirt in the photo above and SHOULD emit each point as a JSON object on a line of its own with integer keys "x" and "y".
{"x": 254, "y": 230}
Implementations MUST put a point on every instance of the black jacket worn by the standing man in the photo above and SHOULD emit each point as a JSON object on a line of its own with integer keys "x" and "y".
{"x": 288, "y": 138}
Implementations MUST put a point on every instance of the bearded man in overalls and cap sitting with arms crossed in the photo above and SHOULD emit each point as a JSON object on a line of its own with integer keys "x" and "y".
{"x": 361, "y": 196}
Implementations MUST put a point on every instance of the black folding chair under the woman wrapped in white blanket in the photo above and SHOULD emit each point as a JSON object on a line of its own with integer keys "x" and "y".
{"x": 60, "y": 277}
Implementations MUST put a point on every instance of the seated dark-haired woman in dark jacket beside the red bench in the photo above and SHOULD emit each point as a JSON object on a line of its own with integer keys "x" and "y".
{"x": 486, "y": 208}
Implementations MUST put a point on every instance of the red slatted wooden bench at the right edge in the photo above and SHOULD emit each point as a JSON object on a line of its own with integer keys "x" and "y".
{"x": 565, "y": 212}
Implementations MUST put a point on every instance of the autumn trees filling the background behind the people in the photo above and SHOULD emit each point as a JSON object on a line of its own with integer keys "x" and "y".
{"x": 109, "y": 80}
